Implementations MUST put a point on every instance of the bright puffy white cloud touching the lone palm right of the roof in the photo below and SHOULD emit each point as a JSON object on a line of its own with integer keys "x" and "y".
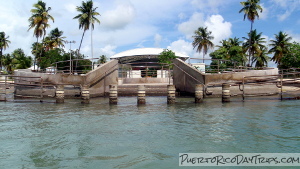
{"x": 220, "y": 29}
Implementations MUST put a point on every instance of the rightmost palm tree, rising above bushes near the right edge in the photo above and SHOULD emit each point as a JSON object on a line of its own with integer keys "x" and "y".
{"x": 280, "y": 46}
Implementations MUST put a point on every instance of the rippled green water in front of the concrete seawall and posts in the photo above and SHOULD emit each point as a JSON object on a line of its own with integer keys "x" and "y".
{"x": 99, "y": 135}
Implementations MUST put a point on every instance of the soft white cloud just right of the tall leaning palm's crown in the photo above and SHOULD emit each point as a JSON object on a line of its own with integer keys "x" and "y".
{"x": 119, "y": 17}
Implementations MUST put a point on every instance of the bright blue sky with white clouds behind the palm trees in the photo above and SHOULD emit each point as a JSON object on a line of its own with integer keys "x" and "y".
{"x": 130, "y": 24}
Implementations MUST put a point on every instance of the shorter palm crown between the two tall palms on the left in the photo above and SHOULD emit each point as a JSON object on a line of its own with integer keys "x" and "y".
{"x": 54, "y": 39}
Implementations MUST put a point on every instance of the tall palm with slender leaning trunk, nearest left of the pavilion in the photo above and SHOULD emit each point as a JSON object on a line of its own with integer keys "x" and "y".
{"x": 86, "y": 18}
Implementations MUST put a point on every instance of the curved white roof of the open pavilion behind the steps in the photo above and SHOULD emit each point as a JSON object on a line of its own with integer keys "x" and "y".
{"x": 143, "y": 52}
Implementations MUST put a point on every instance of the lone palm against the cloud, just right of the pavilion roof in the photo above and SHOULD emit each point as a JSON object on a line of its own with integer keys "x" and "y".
{"x": 202, "y": 40}
